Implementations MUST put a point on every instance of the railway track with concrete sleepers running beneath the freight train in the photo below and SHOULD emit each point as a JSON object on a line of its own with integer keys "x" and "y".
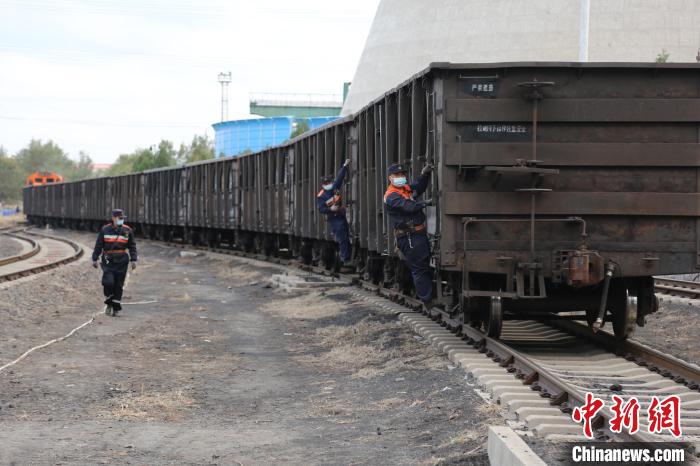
{"x": 543, "y": 369}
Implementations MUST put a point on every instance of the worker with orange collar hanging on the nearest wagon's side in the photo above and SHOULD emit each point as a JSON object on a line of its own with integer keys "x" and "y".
{"x": 406, "y": 215}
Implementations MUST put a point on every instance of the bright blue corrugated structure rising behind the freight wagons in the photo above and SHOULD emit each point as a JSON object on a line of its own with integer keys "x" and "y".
{"x": 242, "y": 136}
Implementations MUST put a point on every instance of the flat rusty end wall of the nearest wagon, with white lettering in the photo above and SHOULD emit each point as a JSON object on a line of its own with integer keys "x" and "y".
{"x": 616, "y": 170}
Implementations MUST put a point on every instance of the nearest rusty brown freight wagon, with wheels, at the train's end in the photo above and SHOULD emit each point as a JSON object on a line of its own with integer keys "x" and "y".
{"x": 561, "y": 188}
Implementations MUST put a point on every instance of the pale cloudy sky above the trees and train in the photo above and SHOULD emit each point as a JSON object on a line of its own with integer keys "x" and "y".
{"x": 107, "y": 76}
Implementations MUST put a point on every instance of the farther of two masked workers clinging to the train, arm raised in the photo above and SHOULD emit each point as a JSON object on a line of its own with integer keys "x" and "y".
{"x": 330, "y": 202}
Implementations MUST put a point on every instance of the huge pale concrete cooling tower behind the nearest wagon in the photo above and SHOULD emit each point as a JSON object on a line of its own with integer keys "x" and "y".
{"x": 407, "y": 35}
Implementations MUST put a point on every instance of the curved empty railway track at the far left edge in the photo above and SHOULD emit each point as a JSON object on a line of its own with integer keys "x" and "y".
{"x": 39, "y": 252}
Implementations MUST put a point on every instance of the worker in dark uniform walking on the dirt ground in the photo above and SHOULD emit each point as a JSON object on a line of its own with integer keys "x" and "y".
{"x": 117, "y": 246}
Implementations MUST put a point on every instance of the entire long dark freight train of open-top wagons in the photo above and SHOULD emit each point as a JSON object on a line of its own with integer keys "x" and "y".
{"x": 560, "y": 189}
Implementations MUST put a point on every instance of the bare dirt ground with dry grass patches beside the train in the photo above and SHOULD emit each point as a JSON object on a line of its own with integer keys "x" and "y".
{"x": 211, "y": 366}
